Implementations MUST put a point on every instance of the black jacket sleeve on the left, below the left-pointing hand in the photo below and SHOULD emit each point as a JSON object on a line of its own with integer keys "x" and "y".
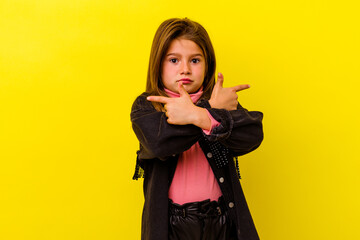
{"x": 157, "y": 137}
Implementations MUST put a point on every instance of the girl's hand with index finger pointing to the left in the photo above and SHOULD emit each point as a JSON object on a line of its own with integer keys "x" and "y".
{"x": 182, "y": 111}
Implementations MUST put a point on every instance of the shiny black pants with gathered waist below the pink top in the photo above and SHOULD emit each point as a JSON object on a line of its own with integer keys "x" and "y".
{"x": 203, "y": 220}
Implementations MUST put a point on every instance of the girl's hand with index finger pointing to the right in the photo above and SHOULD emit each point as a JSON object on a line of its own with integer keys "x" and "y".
{"x": 225, "y": 98}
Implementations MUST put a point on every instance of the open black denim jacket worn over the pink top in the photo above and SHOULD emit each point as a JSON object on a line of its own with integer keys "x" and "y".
{"x": 240, "y": 132}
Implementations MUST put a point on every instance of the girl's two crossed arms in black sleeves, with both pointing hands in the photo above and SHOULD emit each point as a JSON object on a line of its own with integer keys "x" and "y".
{"x": 164, "y": 134}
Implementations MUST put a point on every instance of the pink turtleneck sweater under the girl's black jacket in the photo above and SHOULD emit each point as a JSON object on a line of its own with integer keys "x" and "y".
{"x": 194, "y": 180}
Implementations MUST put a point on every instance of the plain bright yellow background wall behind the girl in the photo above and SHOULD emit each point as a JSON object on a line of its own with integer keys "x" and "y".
{"x": 70, "y": 70}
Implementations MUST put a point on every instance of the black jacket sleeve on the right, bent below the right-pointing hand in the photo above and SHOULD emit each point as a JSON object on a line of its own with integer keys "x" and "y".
{"x": 239, "y": 130}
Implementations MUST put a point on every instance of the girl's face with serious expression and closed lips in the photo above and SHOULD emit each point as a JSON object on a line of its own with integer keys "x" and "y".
{"x": 183, "y": 62}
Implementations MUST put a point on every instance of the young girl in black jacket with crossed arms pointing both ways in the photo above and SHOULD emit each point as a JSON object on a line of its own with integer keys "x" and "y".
{"x": 191, "y": 131}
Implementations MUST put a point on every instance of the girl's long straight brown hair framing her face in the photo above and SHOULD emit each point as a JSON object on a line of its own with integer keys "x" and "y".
{"x": 172, "y": 29}
